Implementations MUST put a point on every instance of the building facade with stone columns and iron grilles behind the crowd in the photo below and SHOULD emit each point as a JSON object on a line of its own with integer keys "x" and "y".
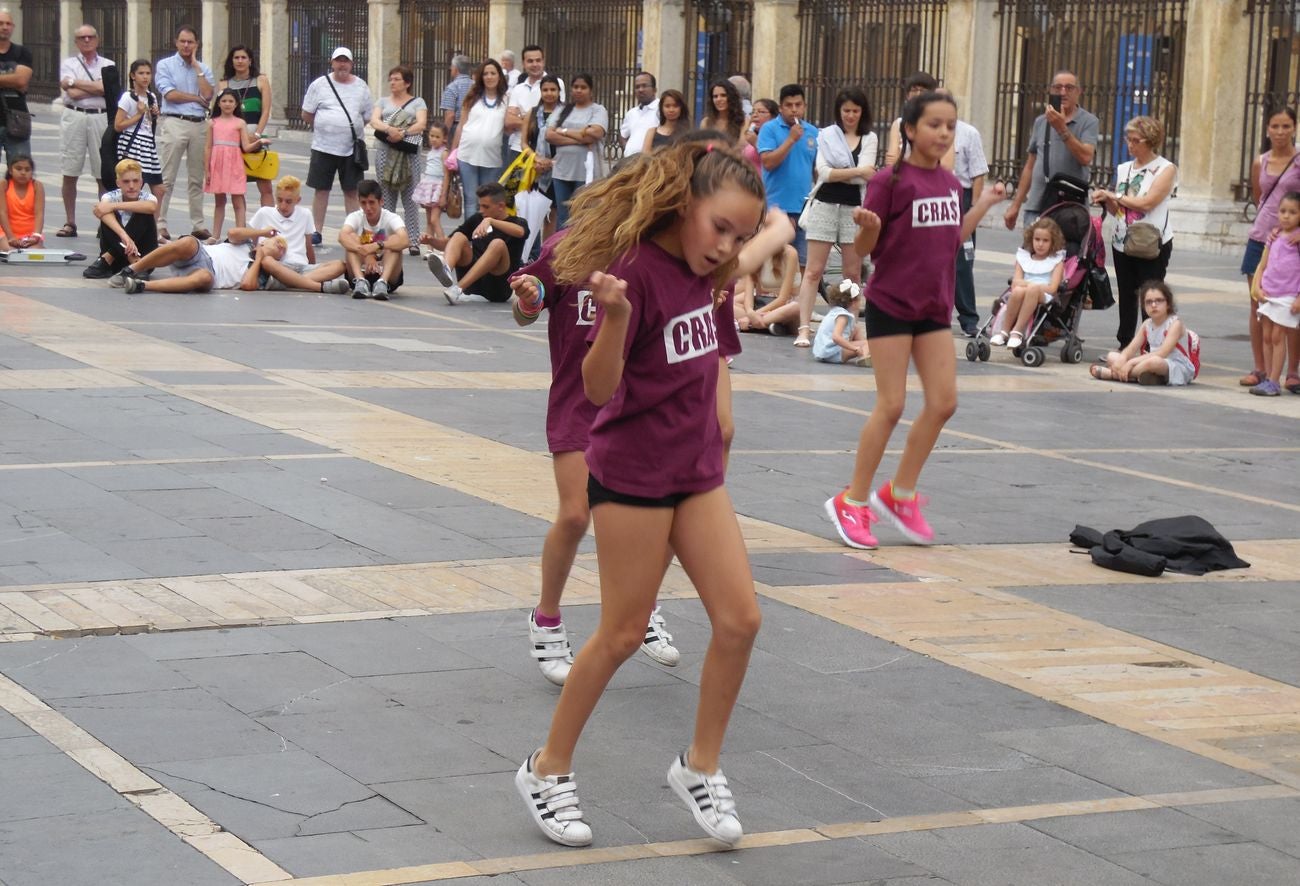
{"x": 1210, "y": 70}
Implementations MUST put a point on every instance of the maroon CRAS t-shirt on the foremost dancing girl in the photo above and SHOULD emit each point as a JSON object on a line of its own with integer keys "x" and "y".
{"x": 658, "y": 435}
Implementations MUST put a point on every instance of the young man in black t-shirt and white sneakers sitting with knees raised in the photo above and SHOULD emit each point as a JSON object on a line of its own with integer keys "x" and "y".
{"x": 480, "y": 255}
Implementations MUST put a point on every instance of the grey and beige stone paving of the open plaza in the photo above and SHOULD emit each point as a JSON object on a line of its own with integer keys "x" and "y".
{"x": 266, "y": 562}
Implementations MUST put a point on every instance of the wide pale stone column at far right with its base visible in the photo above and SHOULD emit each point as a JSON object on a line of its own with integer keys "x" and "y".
{"x": 1206, "y": 216}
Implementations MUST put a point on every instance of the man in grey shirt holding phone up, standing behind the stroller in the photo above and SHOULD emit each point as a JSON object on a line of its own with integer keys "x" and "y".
{"x": 1064, "y": 141}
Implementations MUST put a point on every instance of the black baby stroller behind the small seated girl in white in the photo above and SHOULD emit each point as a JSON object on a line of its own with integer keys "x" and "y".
{"x": 1058, "y": 322}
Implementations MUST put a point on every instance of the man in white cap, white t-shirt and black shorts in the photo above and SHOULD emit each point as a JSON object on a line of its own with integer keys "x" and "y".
{"x": 336, "y": 107}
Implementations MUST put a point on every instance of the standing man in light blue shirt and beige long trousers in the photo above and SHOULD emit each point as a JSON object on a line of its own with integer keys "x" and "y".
{"x": 187, "y": 88}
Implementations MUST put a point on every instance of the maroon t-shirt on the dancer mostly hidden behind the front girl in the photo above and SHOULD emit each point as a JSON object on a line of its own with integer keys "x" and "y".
{"x": 569, "y": 412}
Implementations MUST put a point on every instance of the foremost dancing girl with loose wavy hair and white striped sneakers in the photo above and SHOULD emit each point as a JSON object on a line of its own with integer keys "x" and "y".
{"x": 670, "y": 231}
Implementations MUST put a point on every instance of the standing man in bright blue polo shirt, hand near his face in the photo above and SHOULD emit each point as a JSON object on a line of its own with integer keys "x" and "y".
{"x": 788, "y": 150}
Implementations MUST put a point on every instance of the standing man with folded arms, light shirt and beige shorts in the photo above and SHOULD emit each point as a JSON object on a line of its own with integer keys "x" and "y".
{"x": 83, "y": 124}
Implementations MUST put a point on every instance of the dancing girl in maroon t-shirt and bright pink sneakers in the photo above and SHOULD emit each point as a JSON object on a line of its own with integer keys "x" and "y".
{"x": 912, "y": 225}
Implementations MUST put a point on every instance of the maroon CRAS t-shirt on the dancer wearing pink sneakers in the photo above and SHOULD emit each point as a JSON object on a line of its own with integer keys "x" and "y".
{"x": 916, "y": 257}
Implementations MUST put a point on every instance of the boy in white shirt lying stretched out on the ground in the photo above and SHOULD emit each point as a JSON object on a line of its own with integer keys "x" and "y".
{"x": 201, "y": 268}
